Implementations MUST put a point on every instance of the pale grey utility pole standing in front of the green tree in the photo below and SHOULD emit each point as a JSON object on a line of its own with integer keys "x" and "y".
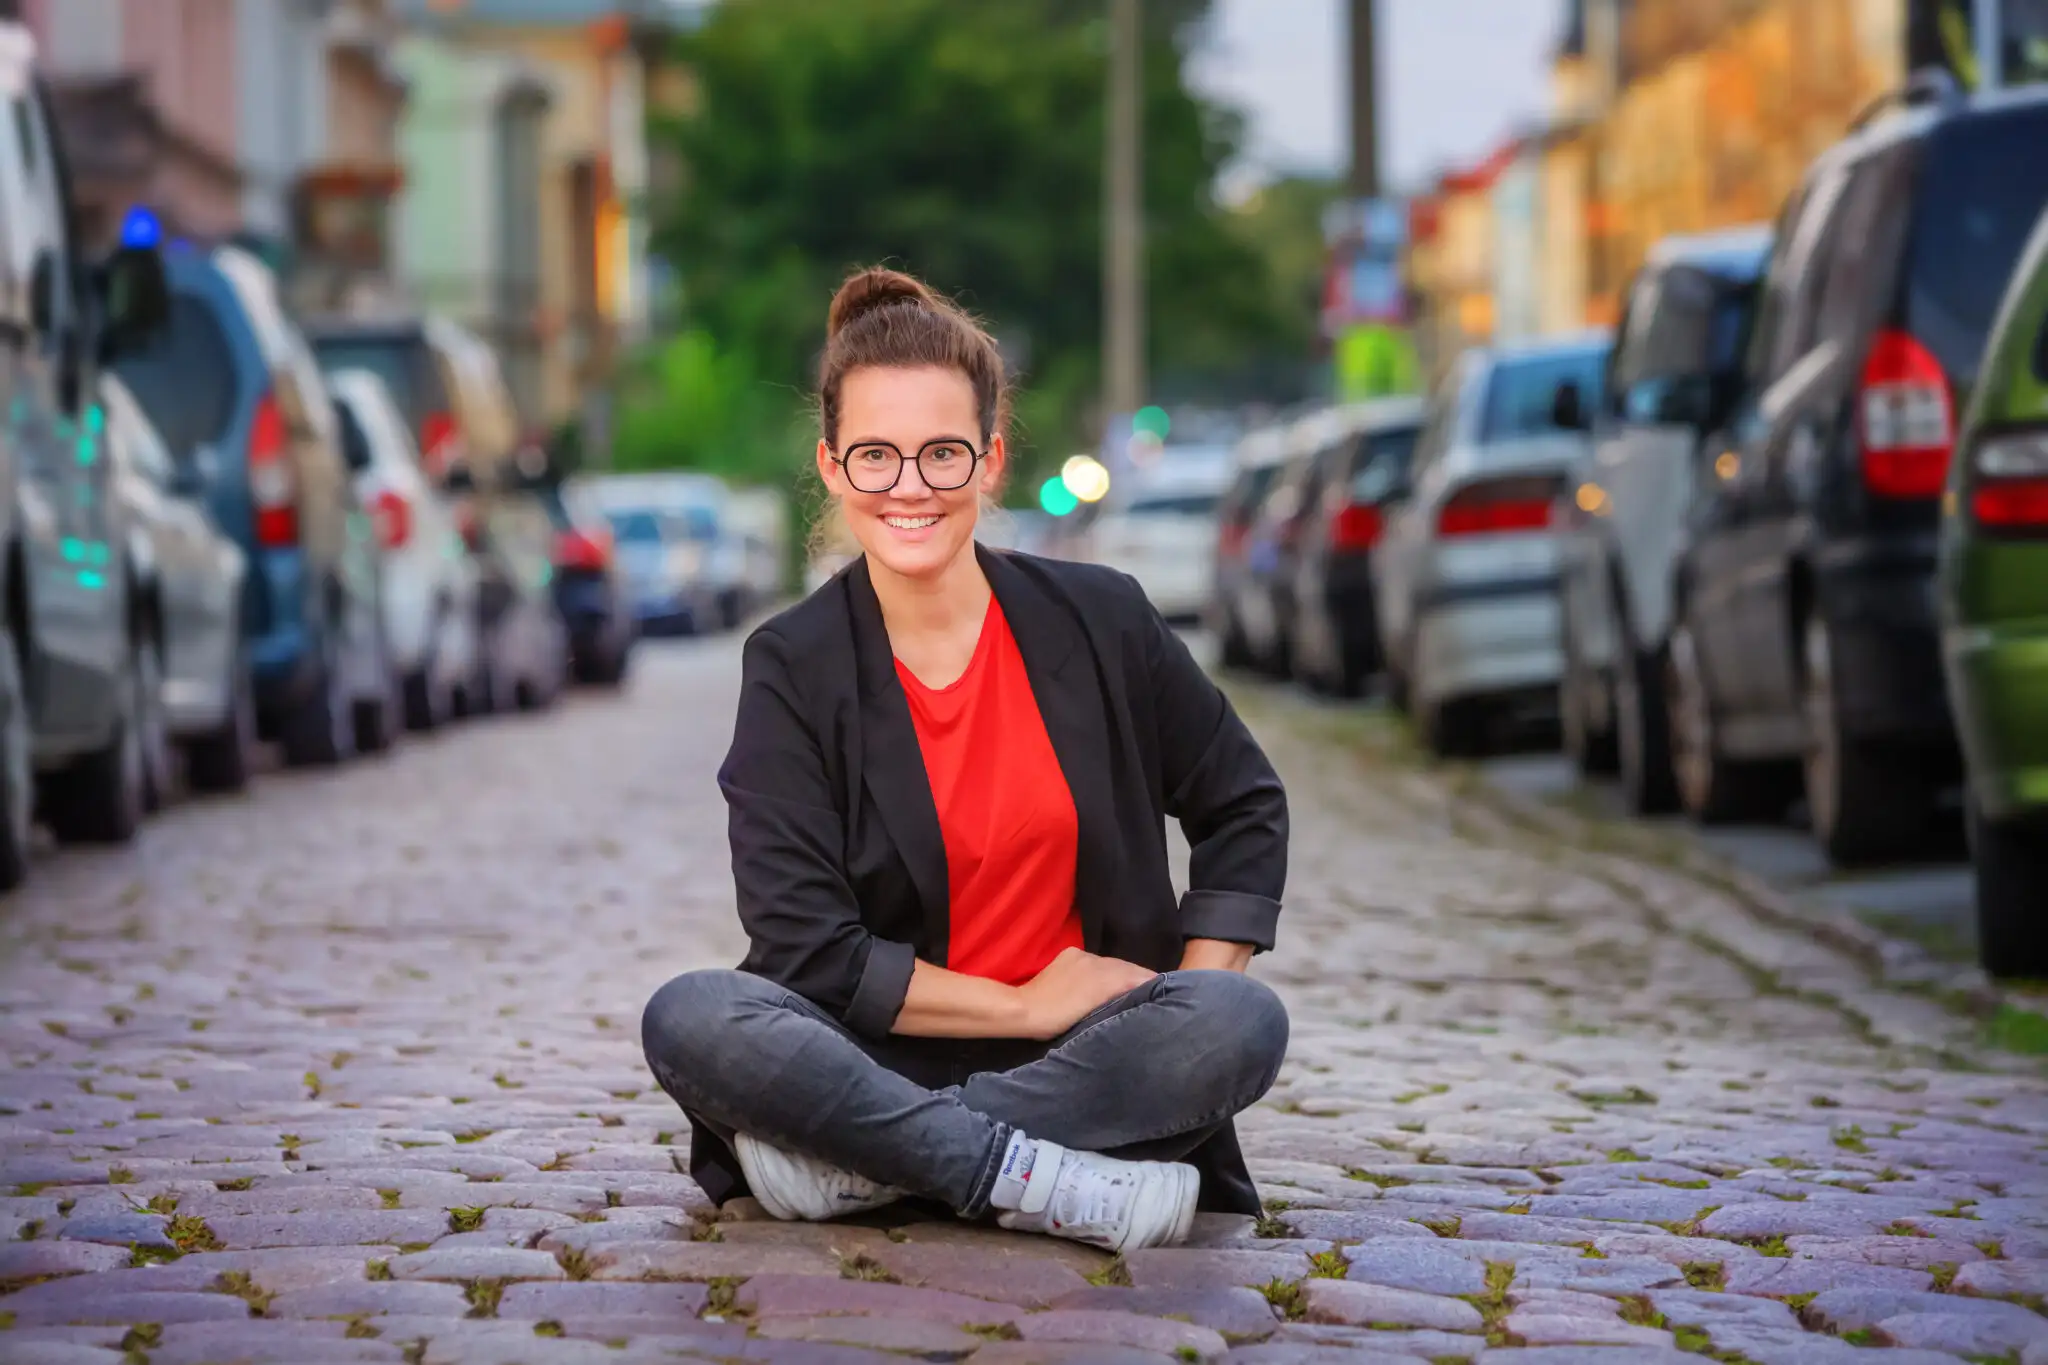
{"x": 1123, "y": 197}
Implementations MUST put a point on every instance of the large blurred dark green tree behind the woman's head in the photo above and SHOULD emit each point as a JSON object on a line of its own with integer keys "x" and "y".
{"x": 964, "y": 144}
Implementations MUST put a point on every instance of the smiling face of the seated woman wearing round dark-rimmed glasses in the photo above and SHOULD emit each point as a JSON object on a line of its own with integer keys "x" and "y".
{"x": 921, "y": 429}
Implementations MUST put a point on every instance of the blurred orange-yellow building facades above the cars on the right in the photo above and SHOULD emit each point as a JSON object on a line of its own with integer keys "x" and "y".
{"x": 1668, "y": 118}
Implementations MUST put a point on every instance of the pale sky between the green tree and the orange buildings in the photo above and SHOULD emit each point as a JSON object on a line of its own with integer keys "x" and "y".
{"x": 1455, "y": 79}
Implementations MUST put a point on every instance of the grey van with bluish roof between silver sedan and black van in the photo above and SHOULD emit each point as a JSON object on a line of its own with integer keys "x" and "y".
{"x": 1625, "y": 517}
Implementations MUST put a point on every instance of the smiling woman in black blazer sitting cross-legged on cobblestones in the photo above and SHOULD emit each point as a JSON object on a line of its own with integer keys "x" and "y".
{"x": 951, "y": 770}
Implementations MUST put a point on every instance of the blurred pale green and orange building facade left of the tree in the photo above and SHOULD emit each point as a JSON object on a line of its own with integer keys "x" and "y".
{"x": 523, "y": 218}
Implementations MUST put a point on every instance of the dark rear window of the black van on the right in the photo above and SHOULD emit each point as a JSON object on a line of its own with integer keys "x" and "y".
{"x": 1983, "y": 187}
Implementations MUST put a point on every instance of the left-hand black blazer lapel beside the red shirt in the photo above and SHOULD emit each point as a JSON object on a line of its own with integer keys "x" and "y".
{"x": 892, "y": 766}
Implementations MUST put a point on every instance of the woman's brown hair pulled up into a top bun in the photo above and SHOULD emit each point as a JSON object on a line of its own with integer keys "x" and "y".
{"x": 888, "y": 320}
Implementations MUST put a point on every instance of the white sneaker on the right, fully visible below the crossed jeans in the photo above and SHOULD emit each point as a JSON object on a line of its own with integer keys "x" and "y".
{"x": 1107, "y": 1202}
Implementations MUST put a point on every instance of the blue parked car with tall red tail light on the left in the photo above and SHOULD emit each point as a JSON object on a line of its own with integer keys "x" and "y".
{"x": 237, "y": 394}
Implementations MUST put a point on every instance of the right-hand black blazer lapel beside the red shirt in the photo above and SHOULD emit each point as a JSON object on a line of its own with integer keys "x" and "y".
{"x": 1068, "y": 691}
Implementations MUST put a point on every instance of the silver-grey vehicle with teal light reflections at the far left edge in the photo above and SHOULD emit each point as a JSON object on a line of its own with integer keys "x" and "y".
{"x": 79, "y": 652}
